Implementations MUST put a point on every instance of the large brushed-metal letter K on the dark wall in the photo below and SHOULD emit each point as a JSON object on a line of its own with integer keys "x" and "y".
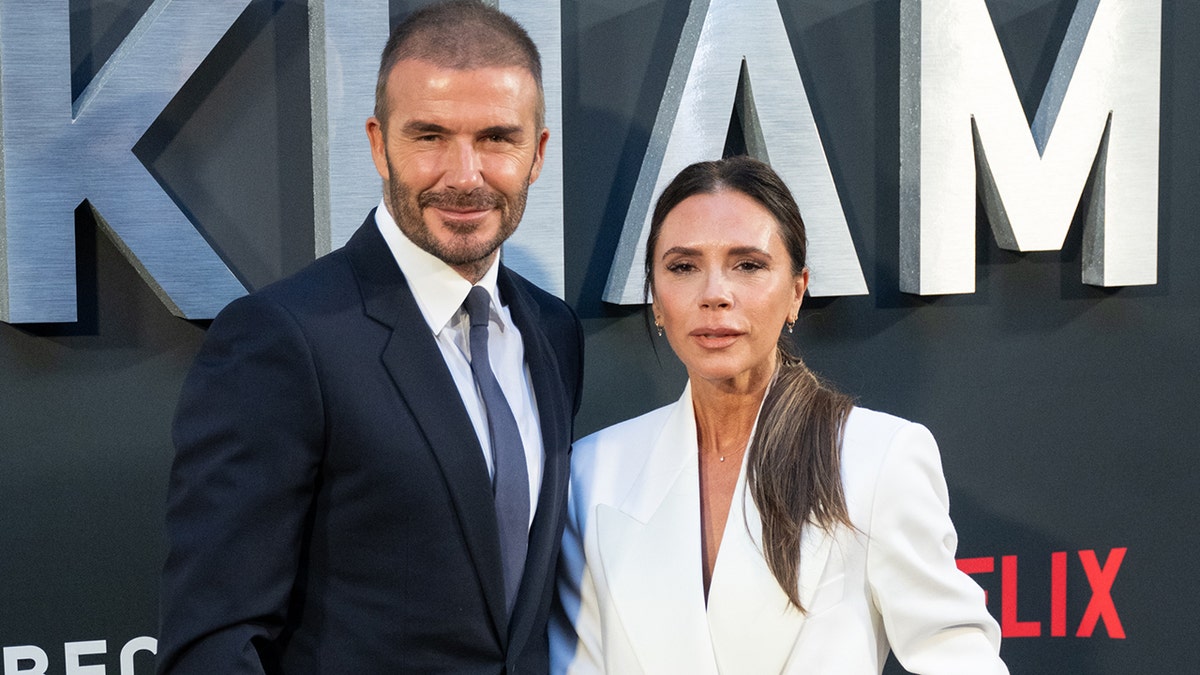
{"x": 58, "y": 153}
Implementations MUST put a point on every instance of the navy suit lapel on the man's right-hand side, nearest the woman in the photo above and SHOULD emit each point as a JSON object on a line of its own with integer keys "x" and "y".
{"x": 555, "y": 419}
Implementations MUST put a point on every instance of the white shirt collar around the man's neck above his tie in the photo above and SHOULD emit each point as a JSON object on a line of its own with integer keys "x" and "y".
{"x": 440, "y": 291}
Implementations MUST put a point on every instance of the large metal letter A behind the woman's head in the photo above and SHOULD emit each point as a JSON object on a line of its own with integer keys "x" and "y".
{"x": 721, "y": 41}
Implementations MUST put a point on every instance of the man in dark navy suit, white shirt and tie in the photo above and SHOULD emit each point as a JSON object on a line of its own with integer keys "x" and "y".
{"x": 351, "y": 494}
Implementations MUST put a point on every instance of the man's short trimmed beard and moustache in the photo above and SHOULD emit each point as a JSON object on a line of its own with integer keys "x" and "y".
{"x": 463, "y": 249}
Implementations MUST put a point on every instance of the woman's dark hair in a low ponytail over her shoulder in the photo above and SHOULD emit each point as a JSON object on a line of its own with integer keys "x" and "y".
{"x": 794, "y": 470}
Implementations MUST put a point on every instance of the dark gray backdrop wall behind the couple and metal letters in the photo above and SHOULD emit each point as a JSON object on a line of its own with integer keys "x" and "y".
{"x": 1066, "y": 415}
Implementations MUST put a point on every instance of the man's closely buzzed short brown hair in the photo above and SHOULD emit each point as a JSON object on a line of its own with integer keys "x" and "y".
{"x": 460, "y": 35}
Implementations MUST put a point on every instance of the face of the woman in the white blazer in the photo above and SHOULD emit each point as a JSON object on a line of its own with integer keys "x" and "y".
{"x": 724, "y": 288}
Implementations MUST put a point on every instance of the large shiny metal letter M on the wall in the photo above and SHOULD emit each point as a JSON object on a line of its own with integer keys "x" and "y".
{"x": 961, "y": 115}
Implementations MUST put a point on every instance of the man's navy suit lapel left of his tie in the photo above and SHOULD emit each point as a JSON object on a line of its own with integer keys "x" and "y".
{"x": 416, "y": 365}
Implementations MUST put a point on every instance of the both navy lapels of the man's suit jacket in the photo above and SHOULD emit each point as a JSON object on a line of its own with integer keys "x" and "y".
{"x": 419, "y": 373}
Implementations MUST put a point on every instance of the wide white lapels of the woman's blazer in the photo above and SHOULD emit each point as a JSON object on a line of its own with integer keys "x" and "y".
{"x": 651, "y": 553}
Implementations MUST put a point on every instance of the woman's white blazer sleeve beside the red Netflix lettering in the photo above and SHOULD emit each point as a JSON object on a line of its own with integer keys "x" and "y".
{"x": 934, "y": 616}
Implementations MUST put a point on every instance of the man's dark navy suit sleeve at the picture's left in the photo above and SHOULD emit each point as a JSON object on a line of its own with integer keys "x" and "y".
{"x": 248, "y": 440}
